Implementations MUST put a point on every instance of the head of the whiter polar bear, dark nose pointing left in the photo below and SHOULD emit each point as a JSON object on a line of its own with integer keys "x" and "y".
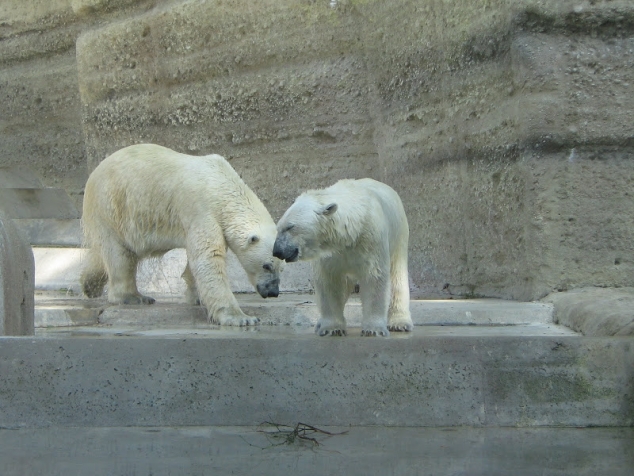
{"x": 308, "y": 229}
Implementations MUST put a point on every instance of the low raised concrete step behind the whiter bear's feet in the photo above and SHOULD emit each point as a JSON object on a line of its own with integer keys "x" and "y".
{"x": 61, "y": 309}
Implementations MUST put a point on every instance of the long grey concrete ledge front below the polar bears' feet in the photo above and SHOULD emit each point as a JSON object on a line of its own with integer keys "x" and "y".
{"x": 473, "y": 376}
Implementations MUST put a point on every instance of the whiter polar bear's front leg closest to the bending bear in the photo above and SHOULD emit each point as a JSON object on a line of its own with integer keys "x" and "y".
{"x": 332, "y": 292}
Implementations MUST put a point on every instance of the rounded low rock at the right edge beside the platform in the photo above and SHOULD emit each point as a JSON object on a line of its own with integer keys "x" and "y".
{"x": 595, "y": 311}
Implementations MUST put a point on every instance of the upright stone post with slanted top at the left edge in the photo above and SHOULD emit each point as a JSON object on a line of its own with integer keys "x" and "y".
{"x": 17, "y": 281}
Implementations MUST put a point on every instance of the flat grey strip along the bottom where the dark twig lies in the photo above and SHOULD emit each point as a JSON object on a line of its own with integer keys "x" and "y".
{"x": 361, "y": 451}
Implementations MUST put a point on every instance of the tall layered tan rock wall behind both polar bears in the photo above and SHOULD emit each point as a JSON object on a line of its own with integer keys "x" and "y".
{"x": 504, "y": 125}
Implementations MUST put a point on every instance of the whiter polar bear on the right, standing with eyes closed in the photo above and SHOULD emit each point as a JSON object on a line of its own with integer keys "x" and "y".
{"x": 355, "y": 231}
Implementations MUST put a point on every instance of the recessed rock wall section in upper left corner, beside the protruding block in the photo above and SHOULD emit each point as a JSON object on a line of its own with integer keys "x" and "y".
{"x": 40, "y": 111}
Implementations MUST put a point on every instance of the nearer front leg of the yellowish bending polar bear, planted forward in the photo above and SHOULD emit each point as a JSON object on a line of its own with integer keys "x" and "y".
{"x": 207, "y": 264}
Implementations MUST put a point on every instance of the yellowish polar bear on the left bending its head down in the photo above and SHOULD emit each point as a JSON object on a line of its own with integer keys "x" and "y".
{"x": 145, "y": 200}
